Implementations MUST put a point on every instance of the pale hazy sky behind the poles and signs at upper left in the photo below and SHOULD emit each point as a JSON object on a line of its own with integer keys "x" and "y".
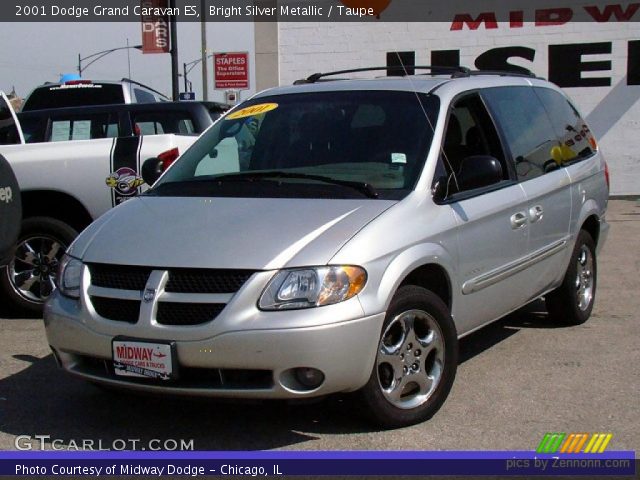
{"x": 33, "y": 53}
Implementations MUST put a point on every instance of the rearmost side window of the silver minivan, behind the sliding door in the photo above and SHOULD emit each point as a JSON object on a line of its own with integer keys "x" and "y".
{"x": 576, "y": 140}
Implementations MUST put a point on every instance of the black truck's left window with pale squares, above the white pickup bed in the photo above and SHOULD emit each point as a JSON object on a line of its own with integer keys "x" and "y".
{"x": 84, "y": 127}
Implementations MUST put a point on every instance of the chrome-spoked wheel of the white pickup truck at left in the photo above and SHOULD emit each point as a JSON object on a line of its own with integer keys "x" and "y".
{"x": 28, "y": 279}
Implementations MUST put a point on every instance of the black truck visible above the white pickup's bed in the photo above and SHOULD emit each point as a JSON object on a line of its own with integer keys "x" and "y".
{"x": 118, "y": 120}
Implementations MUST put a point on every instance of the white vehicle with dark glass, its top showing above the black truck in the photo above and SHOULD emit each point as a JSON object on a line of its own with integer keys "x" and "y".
{"x": 74, "y": 93}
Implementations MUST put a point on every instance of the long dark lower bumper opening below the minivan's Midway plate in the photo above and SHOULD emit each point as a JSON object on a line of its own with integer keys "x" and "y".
{"x": 188, "y": 377}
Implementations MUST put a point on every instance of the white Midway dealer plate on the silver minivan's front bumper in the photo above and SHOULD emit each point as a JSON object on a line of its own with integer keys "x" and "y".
{"x": 132, "y": 358}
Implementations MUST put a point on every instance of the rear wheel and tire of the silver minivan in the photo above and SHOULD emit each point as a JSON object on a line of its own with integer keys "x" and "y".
{"x": 572, "y": 302}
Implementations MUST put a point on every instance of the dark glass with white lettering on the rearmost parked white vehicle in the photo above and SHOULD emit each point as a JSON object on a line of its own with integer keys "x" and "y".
{"x": 60, "y": 96}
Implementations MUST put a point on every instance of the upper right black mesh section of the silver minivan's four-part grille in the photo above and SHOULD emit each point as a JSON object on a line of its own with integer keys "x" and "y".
{"x": 206, "y": 281}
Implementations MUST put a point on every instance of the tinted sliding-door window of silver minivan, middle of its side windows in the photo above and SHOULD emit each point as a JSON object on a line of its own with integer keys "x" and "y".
{"x": 526, "y": 127}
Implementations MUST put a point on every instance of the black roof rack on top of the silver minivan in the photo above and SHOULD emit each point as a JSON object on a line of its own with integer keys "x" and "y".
{"x": 455, "y": 72}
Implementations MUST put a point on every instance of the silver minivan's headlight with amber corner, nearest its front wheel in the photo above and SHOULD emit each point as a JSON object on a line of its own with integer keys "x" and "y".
{"x": 312, "y": 287}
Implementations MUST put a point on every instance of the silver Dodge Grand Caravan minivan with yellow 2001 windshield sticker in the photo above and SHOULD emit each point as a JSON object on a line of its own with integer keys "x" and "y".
{"x": 340, "y": 236}
